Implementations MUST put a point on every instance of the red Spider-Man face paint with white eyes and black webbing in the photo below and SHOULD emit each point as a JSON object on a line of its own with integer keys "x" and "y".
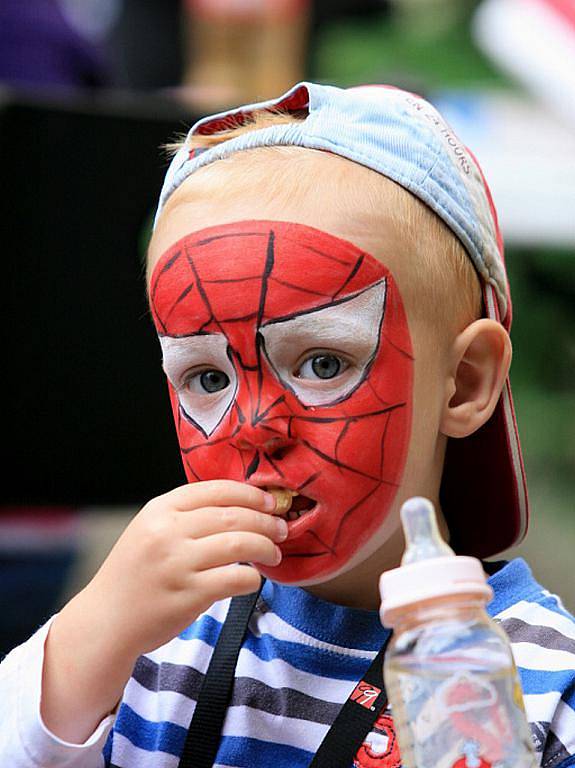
{"x": 289, "y": 365}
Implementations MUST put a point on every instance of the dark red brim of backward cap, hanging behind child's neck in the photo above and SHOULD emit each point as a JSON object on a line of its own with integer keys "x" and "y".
{"x": 484, "y": 491}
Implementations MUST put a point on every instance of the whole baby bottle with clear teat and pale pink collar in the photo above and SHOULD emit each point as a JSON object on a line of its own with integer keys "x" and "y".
{"x": 449, "y": 673}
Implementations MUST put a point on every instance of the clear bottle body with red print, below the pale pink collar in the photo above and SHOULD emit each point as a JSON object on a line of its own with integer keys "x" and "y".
{"x": 454, "y": 689}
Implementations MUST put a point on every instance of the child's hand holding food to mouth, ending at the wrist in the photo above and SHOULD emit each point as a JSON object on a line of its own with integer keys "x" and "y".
{"x": 180, "y": 554}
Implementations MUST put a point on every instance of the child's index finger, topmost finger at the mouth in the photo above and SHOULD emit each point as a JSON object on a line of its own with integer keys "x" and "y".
{"x": 221, "y": 493}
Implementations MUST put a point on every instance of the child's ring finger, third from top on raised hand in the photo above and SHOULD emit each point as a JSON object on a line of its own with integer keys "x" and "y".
{"x": 237, "y": 547}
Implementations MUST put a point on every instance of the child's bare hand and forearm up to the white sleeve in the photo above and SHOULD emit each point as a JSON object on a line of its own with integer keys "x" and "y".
{"x": 177, "y": 556}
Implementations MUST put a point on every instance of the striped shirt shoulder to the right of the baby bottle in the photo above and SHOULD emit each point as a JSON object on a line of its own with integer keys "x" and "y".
{"x": 542, "y": 635}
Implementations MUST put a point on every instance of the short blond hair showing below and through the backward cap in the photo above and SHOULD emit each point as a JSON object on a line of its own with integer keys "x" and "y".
{"x": 447, "y": 290}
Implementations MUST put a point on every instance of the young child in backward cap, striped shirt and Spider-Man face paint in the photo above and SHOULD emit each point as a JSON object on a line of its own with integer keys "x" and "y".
{"x": 327, "y": 281}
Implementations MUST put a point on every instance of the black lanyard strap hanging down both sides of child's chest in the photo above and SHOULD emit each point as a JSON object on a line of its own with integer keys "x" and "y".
{"x": 340, "y": 744}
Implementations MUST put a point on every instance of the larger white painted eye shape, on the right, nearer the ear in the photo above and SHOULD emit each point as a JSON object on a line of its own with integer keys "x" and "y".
{"x": 347, "y": 331}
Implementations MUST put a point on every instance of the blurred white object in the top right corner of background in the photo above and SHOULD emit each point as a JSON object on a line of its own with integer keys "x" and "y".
{"x": 534, "y": 42}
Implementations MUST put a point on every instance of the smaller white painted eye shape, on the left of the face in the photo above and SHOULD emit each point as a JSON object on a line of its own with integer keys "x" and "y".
{"x": 203, "y": 376}
